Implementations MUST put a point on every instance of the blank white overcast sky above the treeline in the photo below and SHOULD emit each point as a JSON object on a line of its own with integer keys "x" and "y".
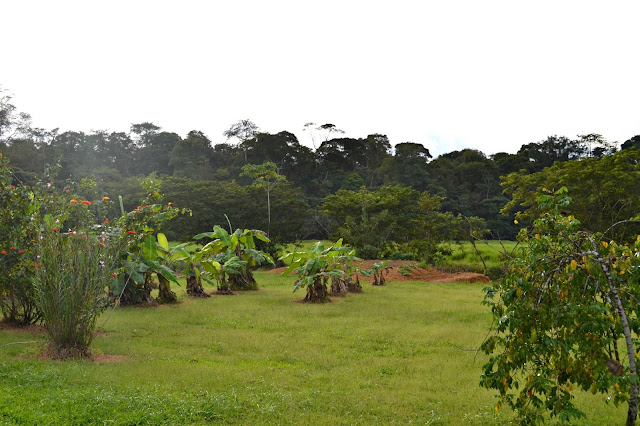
{"x": 490, "y": 75}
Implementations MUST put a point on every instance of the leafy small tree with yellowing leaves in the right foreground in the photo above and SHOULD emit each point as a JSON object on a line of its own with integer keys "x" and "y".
{"x": 568, "y": 300}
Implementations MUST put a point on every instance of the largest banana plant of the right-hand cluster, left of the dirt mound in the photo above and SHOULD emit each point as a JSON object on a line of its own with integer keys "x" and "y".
{"x": 315, "y": 268}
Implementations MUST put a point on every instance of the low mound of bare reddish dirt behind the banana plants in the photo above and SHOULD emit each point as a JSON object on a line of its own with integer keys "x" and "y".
{"x": 416, "y": 274}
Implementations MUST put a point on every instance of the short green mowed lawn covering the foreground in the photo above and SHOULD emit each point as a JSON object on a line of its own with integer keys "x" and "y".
{"x": 386, "y": 356}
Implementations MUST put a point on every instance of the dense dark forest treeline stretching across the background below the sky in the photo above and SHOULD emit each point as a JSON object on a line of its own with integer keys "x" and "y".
{"x": 212, "y": 178}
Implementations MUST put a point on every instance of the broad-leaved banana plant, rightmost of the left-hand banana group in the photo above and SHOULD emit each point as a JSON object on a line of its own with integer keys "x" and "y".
{"x": 243, "y": 245}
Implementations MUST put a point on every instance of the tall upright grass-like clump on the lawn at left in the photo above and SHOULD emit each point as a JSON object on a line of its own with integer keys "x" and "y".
{"x": 71, "y": 274}
